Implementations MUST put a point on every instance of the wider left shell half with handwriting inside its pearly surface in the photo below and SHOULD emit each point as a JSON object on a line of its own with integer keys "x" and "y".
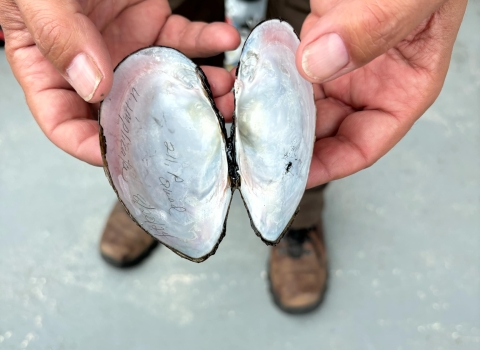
{"x": 165, "y": 152}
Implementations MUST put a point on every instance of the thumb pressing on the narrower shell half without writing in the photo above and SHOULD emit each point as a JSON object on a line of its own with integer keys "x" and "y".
{"x": 347, "y": 36}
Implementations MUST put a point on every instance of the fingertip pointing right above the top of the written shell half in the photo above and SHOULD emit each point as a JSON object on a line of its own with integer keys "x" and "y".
{"x": 197, "y": 39}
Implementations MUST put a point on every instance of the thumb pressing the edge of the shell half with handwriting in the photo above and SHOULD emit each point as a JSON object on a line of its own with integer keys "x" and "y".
{"x": 71, "y": 42}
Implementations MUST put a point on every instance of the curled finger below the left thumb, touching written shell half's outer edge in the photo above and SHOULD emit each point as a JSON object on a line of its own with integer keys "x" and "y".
{"x": 65, "y": 118}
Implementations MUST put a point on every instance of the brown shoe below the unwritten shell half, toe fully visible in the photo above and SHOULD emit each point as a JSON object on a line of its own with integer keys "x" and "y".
{"x": 298, "y": 271}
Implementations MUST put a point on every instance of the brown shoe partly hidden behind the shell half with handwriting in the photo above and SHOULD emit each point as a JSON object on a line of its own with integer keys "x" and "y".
{"x": 123, "y": 242}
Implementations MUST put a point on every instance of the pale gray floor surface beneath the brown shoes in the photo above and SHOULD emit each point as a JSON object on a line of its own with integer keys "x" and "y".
{"x": 403, "y": 237}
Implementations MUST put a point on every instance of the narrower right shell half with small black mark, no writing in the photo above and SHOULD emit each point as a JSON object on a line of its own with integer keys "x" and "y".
{"x": 275, "y": 128}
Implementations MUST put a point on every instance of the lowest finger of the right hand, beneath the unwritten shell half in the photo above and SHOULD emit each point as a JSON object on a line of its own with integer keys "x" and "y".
{"x": 361, "y": 140}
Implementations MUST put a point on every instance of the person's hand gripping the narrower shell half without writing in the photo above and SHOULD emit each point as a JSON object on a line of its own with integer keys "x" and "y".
{"x": 376, "y": 65}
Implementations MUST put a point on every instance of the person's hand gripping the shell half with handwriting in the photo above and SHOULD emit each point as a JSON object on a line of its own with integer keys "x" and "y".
{"x": 55, "y": 47}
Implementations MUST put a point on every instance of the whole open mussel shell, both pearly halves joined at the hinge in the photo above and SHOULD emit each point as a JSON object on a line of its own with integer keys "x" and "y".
{"x": 168, "y": 158}
